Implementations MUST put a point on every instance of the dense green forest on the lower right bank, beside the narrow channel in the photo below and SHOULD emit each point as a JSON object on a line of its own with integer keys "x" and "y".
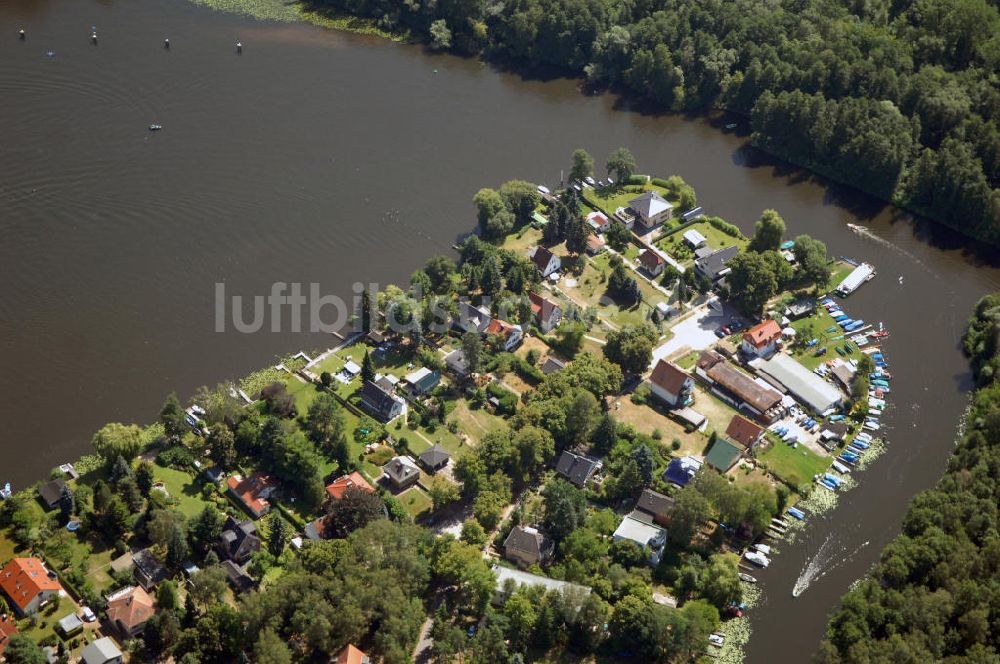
{"x": 935, "y": 594}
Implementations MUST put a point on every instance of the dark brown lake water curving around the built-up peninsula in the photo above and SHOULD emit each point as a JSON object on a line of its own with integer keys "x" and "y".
{"x": 332, "y": 158}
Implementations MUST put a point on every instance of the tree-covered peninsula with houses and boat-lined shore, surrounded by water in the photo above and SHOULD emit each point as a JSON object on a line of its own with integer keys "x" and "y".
{"x": 580, "y": 438}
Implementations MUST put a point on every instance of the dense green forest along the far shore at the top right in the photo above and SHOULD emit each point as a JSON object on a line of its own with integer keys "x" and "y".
{"x": 899, "y": 98}
